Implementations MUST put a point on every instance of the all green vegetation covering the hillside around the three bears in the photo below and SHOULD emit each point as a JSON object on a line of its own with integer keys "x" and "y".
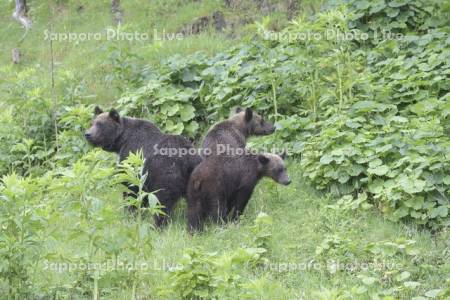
{"x": 366, "y": 121}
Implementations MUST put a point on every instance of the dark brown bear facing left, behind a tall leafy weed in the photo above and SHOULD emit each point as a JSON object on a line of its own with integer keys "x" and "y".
{"x": 167, "y": 174}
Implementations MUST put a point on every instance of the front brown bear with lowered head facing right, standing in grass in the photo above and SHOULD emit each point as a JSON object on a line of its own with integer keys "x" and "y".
{"x": 221, "y": 186}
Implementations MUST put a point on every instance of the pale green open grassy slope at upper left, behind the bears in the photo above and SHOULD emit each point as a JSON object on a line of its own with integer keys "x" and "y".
{"x": 87, "y": 61}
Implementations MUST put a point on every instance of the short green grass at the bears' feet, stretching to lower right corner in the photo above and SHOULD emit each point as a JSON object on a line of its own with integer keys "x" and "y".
{"x": 302, "y": 222}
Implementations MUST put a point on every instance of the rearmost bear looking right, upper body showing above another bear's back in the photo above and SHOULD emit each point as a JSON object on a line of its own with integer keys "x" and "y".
{"x": 233, "y": 132}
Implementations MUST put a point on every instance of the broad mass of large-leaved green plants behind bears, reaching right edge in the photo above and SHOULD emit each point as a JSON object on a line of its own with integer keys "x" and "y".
{"x": 367, "y": 118}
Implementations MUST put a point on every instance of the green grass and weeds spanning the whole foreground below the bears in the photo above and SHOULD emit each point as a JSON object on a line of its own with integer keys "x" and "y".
{"x": 309, "y": 246}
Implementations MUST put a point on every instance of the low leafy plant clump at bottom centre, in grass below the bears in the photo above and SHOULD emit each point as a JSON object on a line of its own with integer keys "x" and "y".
{"x": 220, "y": 276}
